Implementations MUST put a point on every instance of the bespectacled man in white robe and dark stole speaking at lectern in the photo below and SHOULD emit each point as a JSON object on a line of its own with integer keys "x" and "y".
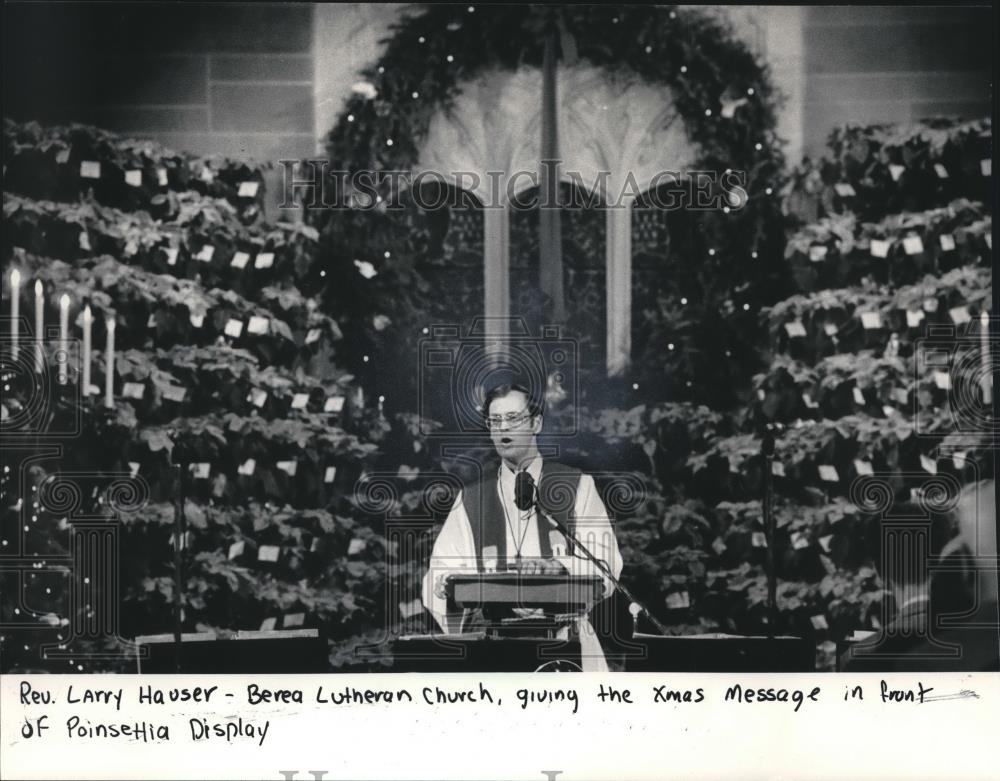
{"x": 513, "y": 519}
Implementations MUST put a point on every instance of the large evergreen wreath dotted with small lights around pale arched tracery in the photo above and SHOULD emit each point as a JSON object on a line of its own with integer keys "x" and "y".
{"x": 722, "y": 93}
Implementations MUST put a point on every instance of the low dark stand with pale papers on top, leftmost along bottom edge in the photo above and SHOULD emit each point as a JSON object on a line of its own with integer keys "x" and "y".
{"x": 282, "y": 651}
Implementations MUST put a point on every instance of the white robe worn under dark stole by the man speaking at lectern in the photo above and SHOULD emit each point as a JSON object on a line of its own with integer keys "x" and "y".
{"x": 454, "y": 550}
